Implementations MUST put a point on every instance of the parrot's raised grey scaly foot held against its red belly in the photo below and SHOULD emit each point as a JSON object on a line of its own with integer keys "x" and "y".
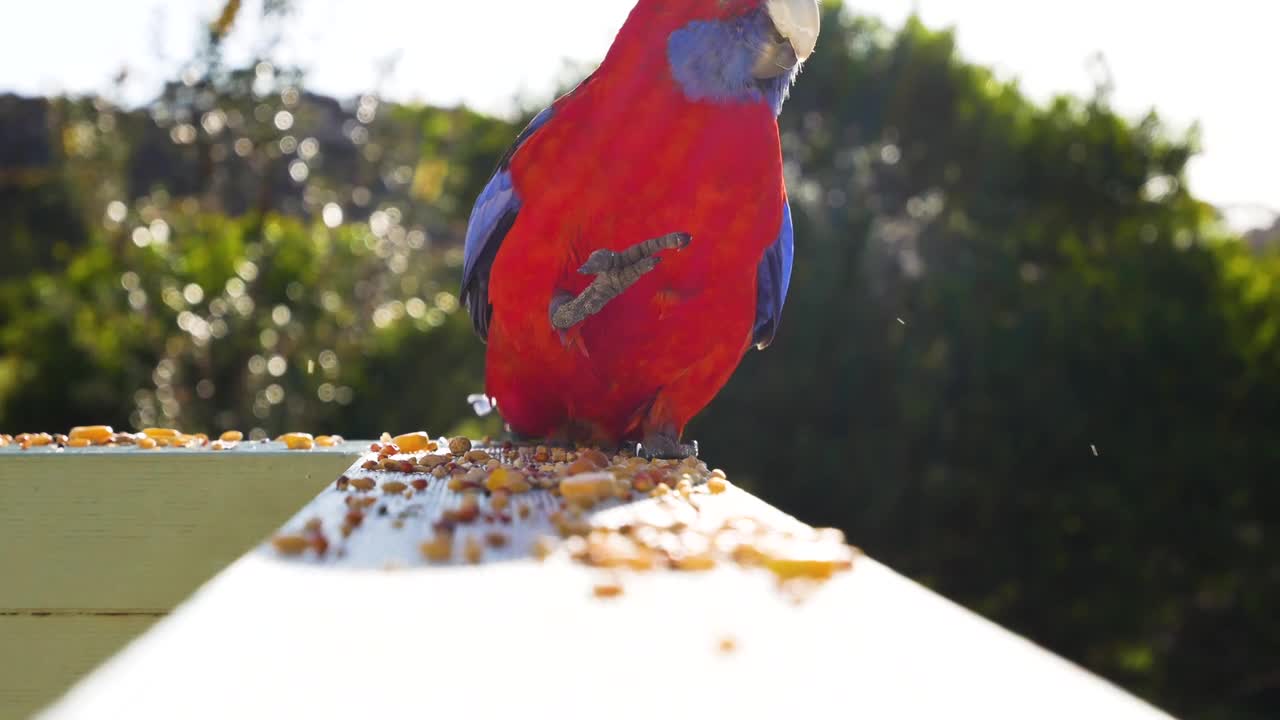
{"x": 615, "y": 272}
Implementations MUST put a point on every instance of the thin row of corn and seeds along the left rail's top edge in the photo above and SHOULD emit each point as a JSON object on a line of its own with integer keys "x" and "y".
{"x": 152, "y": 439}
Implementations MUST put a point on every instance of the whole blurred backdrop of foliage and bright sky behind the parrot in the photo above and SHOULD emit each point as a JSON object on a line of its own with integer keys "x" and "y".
{"x": 1031, "y": 356}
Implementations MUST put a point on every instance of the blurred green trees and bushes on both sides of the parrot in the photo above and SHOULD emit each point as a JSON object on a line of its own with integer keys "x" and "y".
{"x": 1020, "y": 362}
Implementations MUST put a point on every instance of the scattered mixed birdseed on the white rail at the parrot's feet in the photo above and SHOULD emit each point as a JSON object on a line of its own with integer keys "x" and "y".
{"x": 618, "y": 513}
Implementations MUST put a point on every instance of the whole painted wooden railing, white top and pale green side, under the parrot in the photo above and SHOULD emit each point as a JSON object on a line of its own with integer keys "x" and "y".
{"x": 391, "y": 595}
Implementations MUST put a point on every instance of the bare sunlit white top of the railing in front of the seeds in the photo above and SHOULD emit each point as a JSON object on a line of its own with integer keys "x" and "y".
{"x": 282, "y": 639}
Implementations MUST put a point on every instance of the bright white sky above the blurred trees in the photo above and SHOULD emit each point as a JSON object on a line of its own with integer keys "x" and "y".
{"x": 1194, "y": 61}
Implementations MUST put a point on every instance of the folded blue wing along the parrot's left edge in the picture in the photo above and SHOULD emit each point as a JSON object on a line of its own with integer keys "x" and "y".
{"x": 492, "y": 218}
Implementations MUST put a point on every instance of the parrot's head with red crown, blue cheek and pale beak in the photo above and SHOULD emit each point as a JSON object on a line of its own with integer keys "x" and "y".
{"x": 726, "y": 51}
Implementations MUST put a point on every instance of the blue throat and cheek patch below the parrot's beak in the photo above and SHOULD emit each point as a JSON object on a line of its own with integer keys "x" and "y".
{"x": 712, "y": 61}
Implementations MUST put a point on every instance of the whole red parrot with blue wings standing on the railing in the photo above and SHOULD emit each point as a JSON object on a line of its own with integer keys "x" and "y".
{"x": 637, "y": 239}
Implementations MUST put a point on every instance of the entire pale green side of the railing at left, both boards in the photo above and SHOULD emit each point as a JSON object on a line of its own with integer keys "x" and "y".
{"x": 97, "y": 545}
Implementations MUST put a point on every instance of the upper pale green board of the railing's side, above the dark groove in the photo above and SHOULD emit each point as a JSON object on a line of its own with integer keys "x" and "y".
{"x": 139, "y": 531}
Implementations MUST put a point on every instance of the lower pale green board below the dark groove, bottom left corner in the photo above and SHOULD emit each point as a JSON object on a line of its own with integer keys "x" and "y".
{"x": 42, "y": 657}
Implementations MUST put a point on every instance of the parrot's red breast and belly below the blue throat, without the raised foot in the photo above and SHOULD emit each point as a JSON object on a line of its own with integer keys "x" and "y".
{"x": 662, "y": 350}
